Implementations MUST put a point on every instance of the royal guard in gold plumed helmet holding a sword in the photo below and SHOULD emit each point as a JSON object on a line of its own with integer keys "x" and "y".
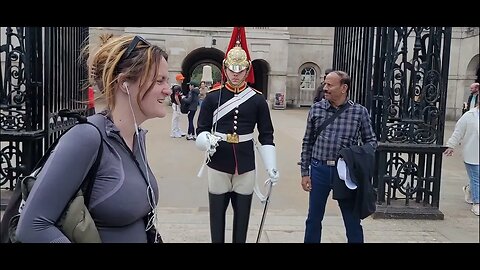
{"x": 225, "y": 129}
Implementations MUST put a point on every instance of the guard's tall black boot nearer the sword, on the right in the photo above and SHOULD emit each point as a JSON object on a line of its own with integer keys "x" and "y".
{"x": 241, "y": 214}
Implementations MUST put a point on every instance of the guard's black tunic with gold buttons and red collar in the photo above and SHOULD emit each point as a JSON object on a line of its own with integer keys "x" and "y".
{"x": 232, "y": 157}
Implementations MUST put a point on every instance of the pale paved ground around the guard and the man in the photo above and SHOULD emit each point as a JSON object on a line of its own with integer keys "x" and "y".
{"x": 183, "y": 207}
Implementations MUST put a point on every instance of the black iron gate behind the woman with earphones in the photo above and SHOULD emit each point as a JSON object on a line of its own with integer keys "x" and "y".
{"x": 42, "y": 73}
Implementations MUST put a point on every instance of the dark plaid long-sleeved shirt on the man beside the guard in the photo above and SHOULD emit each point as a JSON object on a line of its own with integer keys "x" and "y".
{"x": 343, "y": 132}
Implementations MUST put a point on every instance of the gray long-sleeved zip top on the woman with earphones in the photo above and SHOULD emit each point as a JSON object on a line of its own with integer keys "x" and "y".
{"x": 119, "y": 200}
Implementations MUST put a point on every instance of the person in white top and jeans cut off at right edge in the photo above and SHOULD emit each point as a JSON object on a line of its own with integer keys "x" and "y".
{"x": 467, "y": 130}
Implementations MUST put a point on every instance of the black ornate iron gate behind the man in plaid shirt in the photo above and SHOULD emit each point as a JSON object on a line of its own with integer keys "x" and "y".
{"x": 400, "y": 74}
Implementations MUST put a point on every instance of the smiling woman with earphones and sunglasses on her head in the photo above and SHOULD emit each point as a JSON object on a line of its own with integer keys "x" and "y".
{"x": 132, "y": 74}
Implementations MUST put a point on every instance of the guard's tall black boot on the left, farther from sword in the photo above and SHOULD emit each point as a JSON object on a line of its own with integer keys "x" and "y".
{"x": 218, "y": 204}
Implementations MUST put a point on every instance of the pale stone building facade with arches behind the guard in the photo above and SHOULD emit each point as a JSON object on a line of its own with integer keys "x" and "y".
{"x": 289, "y": 60}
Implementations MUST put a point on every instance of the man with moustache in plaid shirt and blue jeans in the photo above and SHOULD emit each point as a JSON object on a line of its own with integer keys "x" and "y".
{"x": 320, "y": 153}
